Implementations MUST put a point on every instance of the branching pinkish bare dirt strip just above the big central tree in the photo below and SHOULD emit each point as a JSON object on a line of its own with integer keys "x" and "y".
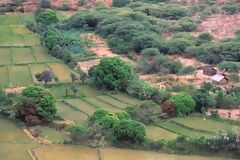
{"x": 100, "y": 49}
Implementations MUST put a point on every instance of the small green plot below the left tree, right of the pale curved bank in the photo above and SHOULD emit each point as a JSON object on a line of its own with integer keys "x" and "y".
{"x": 51, "y": 134}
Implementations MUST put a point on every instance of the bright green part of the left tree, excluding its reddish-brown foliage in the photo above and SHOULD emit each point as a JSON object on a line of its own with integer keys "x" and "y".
{"x": 44, "y": 101}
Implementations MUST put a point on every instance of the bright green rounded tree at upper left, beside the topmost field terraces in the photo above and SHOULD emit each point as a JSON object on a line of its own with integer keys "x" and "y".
{"x": 47, "y": 17}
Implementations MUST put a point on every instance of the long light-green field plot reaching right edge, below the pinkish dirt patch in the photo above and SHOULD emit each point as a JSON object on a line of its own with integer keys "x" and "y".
{"x": 207, "y": 124}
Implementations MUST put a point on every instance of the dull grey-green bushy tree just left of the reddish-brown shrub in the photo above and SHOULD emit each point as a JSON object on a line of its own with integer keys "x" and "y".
{"x": 144, "y": 112}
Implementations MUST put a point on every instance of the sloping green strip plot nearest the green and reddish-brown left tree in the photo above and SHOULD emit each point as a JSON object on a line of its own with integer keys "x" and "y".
{"x": 68, "y": 113}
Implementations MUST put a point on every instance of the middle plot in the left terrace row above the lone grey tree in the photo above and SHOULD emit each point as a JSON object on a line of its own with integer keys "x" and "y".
{"x": 23, "y": 56}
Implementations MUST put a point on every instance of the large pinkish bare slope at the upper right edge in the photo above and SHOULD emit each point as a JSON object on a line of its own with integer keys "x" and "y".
{"x": 220, "y": 26}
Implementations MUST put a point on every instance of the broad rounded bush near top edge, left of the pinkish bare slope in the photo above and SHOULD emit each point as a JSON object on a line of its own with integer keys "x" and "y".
{"x": 173, "y": 12}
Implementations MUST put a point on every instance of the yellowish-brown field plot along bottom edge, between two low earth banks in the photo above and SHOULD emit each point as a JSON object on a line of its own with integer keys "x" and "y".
{"x": 67, "y": 152}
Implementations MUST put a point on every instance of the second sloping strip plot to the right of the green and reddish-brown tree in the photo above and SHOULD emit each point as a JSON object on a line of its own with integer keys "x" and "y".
{"x": 81, "y": 105}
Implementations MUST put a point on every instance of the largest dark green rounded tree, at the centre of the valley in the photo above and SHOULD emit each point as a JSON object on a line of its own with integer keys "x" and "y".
{"x": 111, "y": 73}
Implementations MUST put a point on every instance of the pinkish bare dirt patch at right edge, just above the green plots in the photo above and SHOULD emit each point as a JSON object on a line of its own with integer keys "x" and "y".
{"x": 224, "y": 113}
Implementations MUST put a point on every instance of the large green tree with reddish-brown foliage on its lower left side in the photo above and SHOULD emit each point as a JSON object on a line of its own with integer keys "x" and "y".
{"x": 36, "y": 102}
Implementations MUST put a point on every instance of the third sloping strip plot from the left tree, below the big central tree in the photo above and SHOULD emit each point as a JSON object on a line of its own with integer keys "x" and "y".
{"x": 102, "y": 105}
